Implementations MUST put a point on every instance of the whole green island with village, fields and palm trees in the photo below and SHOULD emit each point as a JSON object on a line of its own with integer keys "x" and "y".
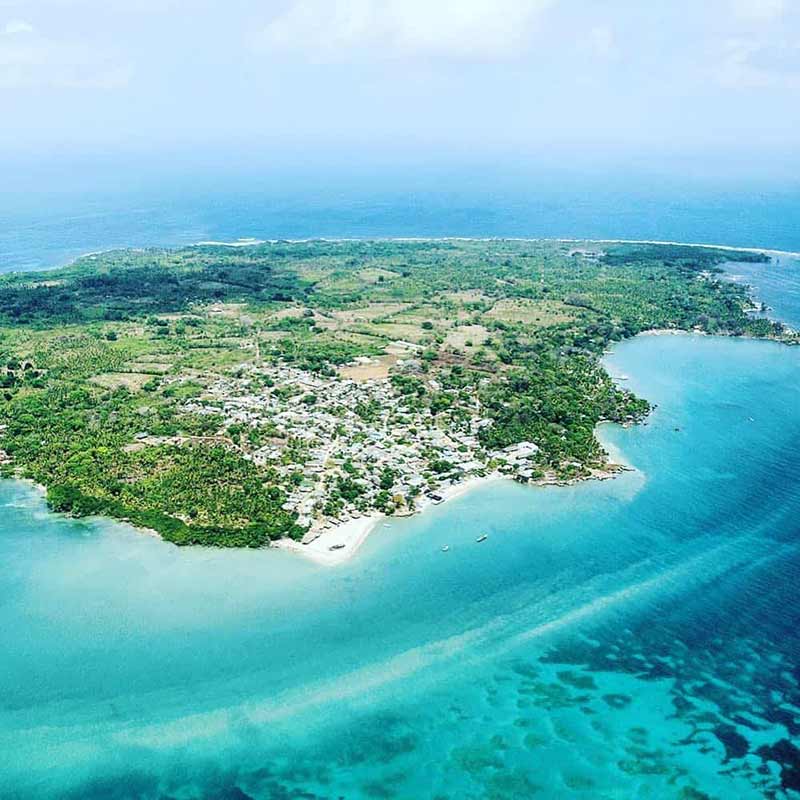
{"x": 275, "y": 392}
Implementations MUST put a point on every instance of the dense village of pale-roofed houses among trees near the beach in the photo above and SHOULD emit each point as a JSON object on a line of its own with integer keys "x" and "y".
{"x": 345, "y": 448}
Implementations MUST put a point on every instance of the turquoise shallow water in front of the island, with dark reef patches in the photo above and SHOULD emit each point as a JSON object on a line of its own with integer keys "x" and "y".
{"x": 635, "y": 638}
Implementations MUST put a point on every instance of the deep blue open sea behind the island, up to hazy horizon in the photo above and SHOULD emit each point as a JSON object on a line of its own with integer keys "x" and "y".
{"x": 50, "y": 214}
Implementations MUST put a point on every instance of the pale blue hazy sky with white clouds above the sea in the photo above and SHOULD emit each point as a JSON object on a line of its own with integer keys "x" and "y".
{"x": 307, "y": 80}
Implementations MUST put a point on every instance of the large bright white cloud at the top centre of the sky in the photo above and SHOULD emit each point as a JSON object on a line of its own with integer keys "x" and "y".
{"x": 323, "y": 30}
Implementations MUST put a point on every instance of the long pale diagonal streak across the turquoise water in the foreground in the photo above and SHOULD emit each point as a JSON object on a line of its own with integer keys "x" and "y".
{"x": 501, "y": 636}
